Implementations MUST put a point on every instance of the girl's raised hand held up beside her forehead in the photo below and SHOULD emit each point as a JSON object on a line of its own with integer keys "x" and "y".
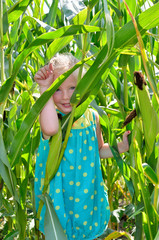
{"x": 44, "y": 77}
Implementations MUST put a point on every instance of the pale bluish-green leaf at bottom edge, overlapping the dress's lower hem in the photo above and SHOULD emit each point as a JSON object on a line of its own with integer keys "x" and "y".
{"x": 52, "y": 226}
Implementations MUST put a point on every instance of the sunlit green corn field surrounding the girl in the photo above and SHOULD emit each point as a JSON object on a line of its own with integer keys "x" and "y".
{"x": 118, "y": 42}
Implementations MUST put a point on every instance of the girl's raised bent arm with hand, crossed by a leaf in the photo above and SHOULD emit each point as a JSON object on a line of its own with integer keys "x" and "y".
{"x": 48, "y": 116}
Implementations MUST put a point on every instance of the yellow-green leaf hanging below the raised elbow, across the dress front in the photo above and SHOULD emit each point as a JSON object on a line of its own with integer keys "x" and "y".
{"x": 53, "y": 160}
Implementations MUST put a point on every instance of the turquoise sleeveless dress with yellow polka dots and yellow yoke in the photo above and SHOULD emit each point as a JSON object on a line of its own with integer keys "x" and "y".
{"x": 77, "y": 190}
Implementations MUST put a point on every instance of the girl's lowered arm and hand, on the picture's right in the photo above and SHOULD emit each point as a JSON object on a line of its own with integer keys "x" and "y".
{"x": 104, "y": 149}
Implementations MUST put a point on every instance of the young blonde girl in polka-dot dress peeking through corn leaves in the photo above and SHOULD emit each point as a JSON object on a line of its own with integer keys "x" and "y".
{"x": 77, "y": 190}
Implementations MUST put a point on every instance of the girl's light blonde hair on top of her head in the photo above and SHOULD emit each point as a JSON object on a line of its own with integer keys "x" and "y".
{"x": 62, "y": 62}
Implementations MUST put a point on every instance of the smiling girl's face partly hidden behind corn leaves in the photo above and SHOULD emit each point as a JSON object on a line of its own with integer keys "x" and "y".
{"x": 63, "y": 94}
